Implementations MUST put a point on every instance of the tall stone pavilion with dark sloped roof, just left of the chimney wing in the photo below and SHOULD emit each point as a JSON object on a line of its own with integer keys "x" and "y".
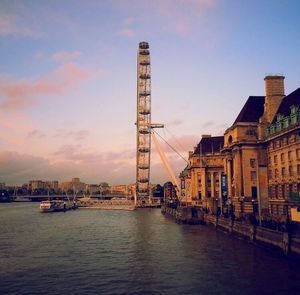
{"x": 245, "y": 164}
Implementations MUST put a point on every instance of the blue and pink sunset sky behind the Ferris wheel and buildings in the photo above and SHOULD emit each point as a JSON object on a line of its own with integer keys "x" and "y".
{"x": 68, "y": 79}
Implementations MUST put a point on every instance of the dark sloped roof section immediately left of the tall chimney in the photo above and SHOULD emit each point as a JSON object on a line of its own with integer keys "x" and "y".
{"x": 252, "y": 110}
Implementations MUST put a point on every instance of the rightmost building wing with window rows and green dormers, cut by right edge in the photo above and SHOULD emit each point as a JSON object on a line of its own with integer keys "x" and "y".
{"x": 282, "y": 138}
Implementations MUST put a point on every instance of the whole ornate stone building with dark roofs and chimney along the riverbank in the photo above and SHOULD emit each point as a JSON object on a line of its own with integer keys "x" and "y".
{"x": 257, "y": 170}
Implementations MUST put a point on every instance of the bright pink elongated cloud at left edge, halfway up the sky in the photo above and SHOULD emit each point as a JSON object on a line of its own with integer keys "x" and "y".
{"x": 23, "y": 93}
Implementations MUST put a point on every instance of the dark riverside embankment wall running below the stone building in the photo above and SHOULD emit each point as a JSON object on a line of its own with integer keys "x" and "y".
{"x": 287, "y": 242}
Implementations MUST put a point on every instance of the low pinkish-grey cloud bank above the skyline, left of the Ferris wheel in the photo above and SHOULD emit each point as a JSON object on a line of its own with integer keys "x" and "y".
{"x": 67, "y": 162}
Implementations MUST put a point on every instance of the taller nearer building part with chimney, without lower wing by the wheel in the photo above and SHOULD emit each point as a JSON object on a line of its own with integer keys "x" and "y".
{"x": 261, "y": 152}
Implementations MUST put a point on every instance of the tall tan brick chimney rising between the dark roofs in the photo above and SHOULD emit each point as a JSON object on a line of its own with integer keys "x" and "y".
{"x": 274, "y": 94}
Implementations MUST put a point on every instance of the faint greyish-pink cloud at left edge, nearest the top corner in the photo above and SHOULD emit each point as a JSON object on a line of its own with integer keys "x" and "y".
{"x": 11, "y": 25}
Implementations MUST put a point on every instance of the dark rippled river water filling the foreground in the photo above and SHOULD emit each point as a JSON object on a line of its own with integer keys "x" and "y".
{"x": 131, "y": 252}
